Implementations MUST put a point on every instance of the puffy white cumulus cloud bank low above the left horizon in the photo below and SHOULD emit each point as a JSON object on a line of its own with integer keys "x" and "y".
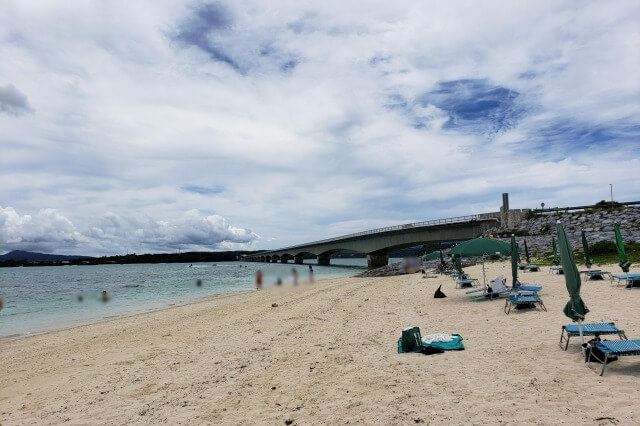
{"x": 48, "y": 230}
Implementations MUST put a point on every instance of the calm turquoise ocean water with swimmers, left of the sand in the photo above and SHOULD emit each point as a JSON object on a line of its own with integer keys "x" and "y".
{"x": 45, "y": 298}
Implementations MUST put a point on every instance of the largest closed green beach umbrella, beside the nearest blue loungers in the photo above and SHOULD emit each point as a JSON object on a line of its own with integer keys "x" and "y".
{"x": 575, "y": 307}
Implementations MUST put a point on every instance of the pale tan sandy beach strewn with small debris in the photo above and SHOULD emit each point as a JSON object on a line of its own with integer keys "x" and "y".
{"x": 326, "y": 354}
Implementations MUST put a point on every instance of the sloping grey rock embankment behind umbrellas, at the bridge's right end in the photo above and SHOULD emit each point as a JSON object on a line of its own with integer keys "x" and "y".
{"x": 597, "y": 224}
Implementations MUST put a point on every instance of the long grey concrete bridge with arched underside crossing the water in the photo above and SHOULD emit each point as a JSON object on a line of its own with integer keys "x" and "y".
{"x": 377, "y": 243}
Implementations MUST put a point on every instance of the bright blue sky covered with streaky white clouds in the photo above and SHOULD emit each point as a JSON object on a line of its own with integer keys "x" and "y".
{"x": 157, "y": 126}
